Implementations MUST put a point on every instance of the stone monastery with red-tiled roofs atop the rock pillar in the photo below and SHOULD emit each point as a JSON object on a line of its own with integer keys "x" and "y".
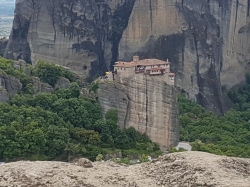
{"x": 148, "y": 67}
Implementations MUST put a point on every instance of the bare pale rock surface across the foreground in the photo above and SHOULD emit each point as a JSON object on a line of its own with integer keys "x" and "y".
{"x": 177, "y": 169}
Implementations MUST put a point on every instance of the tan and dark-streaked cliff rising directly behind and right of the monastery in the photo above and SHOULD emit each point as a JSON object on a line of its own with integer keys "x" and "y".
{"x": 206, "y": 41}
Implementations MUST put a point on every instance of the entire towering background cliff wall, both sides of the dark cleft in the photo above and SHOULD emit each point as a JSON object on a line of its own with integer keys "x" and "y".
{"x": 206, "y": 41}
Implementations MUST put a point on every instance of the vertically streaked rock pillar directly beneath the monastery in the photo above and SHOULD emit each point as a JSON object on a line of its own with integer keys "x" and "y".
{"x": 147, "y": 104}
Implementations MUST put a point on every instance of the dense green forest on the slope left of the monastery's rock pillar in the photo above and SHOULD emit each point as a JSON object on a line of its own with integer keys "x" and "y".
{"x": 61, "y": 125}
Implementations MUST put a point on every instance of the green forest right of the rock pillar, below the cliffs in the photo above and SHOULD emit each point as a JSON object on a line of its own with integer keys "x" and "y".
{"x": 226, "y": 135}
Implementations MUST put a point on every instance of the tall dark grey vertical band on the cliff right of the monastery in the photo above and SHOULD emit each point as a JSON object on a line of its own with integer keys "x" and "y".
{"x": 205, "y": 33}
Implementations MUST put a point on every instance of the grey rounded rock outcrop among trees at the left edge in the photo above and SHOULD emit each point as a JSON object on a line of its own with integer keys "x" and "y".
{"x": 8, "y": 86}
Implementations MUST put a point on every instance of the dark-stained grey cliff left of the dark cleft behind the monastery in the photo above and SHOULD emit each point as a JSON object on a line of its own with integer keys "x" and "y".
{"x": 76, "y": 34}
